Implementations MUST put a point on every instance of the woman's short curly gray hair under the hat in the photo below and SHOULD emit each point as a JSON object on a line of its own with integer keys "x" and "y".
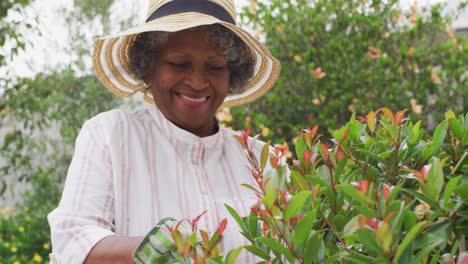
{"x": 240, "y": 62}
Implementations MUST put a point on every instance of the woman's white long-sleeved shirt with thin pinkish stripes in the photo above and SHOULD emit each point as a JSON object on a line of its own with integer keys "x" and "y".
{"x": 132, "y": 169}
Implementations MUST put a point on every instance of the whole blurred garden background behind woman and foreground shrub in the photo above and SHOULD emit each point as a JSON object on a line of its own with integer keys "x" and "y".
{"x": 338, "y": 57}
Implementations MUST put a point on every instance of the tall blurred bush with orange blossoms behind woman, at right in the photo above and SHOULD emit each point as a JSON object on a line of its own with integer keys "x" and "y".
{"x": 342, "y": 57}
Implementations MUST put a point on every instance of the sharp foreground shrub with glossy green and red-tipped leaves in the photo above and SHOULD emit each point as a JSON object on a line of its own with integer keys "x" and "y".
{"x": 382, "y": 192}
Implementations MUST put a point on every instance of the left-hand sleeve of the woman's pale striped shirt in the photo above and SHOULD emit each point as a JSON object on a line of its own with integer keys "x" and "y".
{"x": 86, "y": 211}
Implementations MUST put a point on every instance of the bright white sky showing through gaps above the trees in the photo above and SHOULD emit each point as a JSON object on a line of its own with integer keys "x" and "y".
{"x": 48, "y": 49}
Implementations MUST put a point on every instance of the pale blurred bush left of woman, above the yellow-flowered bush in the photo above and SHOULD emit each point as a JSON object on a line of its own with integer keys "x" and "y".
{"x": 45, "y": 115}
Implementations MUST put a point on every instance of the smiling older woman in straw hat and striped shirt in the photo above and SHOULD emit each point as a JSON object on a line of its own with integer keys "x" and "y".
{"x": 132, "y": 169}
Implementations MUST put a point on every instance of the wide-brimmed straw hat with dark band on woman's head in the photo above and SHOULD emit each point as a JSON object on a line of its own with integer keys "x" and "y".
{"x": 111, "y": 59}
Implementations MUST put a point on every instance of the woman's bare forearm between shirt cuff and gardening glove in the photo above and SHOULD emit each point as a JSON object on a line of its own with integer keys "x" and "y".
{"x": 113, "y": 249}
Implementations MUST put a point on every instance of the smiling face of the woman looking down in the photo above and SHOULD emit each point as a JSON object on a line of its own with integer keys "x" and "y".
{"x": 189, "y": 81}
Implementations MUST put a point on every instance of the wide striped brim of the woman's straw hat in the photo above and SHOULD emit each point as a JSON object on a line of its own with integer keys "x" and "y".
{"x": 111, "y": 59}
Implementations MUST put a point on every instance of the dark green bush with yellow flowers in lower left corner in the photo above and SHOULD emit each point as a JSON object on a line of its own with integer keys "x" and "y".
{"x": 25, "y": 232}
